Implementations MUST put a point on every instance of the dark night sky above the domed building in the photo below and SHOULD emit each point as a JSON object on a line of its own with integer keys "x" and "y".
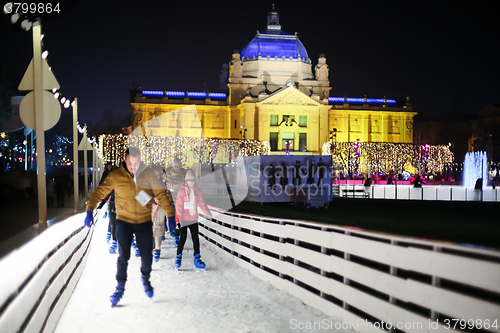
{"x": 446, "y": 57}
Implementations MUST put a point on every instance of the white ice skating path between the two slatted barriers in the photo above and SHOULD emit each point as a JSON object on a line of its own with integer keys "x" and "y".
{"x": 224, "y": 298}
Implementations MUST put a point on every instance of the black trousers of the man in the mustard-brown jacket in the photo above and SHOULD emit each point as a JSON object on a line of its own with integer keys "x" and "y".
{"x": 144, "y": 239}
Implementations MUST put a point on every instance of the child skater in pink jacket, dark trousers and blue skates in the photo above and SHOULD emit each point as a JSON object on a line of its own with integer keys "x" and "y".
{"x": 186, "y": 213}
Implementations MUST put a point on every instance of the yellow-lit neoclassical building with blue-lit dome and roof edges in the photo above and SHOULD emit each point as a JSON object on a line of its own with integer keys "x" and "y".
{"x": 276, "y": 94}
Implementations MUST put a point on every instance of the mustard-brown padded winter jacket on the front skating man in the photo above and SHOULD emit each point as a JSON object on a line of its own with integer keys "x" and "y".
{"x": 128, "y": 209}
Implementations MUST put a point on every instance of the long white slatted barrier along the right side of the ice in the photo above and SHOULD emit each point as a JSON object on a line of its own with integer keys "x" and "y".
{"x": 365, "y": 278}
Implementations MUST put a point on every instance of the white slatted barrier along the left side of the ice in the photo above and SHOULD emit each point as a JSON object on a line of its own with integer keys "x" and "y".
{"x": 38, "y": 279}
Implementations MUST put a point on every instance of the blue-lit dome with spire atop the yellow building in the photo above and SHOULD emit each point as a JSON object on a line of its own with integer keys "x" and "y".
{"x": 275, "y": 44}
